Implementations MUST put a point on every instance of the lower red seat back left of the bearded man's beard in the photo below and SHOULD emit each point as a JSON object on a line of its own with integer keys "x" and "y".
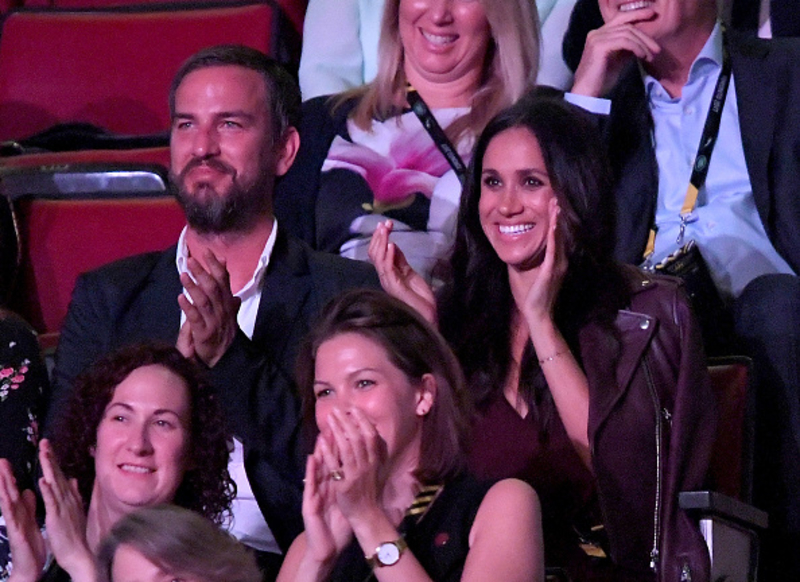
{"x": 63, "y": 238}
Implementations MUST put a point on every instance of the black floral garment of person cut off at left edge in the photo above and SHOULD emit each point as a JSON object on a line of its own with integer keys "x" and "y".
{"x": 23, "y": 384}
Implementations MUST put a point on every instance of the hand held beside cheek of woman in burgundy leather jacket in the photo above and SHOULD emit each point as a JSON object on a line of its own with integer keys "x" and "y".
{"x": 542, "y": 296}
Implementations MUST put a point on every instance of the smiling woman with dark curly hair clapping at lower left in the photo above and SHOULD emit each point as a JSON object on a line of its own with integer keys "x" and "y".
{"x": 142, "y": 428}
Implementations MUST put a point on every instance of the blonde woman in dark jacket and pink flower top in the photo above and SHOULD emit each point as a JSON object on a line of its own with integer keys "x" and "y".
{"x": 365, "y": 157}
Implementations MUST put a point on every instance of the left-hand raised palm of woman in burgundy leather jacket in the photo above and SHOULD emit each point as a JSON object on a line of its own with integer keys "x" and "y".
{"x": 397, "y": 277}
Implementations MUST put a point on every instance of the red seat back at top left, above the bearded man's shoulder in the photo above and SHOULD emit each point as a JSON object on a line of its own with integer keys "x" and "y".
{"x": 112, "y": 68}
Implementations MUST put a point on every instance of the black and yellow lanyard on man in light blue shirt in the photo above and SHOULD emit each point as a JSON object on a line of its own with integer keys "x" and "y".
{"x": 703, "y": 157}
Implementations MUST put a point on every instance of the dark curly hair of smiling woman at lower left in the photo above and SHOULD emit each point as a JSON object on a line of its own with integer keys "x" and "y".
{"x": 206, "y": 487}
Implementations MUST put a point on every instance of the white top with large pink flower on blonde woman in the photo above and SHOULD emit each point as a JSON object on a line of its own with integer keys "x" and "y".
{"x": 393, "y": 170}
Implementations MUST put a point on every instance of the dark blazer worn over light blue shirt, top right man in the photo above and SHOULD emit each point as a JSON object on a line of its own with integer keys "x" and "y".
{"x": 767, "y": 80}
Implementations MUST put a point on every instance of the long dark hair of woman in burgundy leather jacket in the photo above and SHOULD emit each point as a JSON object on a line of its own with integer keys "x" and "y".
{"x": 476, "y": 306}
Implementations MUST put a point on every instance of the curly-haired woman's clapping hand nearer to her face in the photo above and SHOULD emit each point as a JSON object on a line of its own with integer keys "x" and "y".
{"x": 65, "y": 517}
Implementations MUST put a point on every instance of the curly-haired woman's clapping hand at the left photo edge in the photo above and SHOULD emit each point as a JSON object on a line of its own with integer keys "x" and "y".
{"x": 28, "y": 550}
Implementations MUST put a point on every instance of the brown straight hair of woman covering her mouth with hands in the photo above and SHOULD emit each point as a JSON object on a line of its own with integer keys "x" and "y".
{"x": 416, "y": 349}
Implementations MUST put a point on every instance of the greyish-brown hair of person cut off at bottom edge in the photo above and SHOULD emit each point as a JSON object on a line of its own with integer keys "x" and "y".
{"x": 181, "y": 543}
